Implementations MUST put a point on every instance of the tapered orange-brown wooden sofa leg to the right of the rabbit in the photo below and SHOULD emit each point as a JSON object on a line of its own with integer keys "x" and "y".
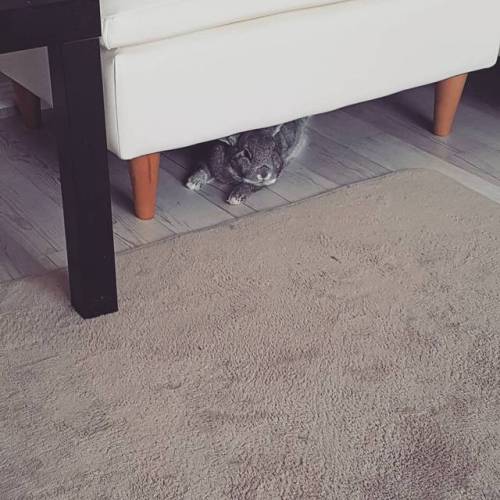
{"x": 448, "y": 95}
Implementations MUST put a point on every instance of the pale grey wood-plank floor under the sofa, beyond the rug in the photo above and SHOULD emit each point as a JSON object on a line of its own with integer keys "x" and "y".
{"x": 345, "y": 146}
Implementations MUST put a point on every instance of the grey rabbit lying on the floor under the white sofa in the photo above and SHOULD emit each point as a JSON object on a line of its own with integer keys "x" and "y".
{"x": 250, "y": 160}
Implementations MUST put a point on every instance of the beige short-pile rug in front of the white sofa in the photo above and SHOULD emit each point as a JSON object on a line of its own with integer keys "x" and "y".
{"x": 346, "y": 347}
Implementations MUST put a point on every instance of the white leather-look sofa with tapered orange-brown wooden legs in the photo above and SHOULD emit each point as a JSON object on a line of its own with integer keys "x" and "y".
{"x": 179, "y": 72}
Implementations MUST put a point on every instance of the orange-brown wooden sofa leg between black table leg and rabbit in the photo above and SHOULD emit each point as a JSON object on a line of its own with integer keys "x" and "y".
{"x": 144, "y": 172}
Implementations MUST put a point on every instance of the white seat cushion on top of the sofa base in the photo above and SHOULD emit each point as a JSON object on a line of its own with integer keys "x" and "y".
{"x": 133, "y": 22}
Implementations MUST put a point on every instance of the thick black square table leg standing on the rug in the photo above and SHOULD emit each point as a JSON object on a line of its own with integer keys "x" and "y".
{"x": 78, "y": 103}
